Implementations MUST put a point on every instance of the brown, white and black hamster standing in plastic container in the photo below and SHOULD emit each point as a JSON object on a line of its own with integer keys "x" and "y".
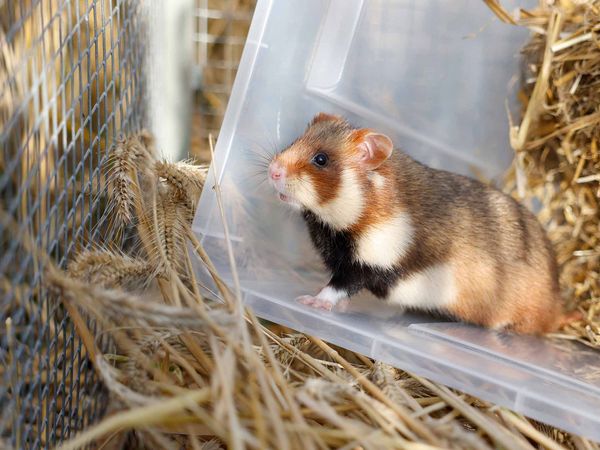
{"x": 414, "y": 236}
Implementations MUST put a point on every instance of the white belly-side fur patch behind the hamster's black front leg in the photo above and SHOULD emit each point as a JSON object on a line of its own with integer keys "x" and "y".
{"x": 433, "y": 288}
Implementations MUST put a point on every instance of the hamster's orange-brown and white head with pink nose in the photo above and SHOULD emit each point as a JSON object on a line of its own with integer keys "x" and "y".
{"x": 325, "y": 170}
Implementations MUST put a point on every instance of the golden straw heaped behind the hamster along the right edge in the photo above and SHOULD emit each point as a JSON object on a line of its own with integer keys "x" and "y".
{"x": 557, "y": 162}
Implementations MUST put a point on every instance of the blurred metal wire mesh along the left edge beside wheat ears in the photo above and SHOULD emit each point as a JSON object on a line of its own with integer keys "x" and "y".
{"x": 70, "y": 80}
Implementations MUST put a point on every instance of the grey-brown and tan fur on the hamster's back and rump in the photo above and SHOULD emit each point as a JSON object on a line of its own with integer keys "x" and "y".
{"x": 505, "y": 267}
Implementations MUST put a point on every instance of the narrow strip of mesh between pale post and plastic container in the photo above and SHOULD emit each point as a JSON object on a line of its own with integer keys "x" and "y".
{"x": 220, "y": 29}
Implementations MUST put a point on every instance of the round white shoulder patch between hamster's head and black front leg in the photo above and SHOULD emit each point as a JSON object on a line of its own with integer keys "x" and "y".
{"x": 383, "y": 244}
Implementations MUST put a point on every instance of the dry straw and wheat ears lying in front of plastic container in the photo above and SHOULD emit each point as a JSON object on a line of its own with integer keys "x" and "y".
{"x": 187, "y": 372}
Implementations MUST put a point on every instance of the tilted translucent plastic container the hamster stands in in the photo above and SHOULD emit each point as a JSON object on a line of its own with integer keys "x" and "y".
{"x": 435, "y": 76}
